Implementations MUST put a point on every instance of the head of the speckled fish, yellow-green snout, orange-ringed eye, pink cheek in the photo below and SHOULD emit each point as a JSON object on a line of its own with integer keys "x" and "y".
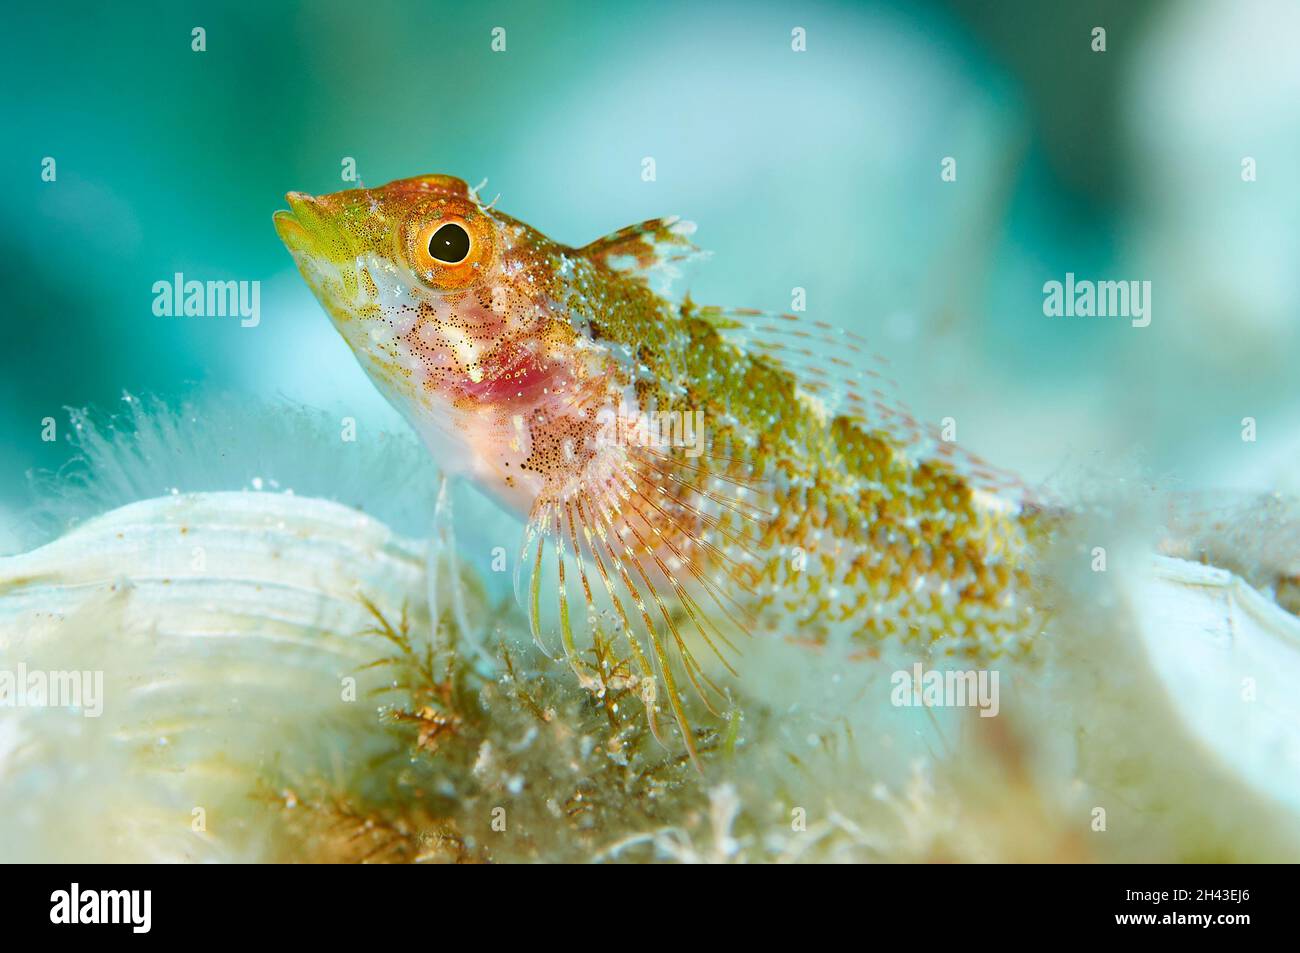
{"x": 463, "y": 318}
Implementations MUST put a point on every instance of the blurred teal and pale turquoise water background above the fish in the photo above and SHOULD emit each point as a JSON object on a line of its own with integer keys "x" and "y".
{"x": 816, "y": 170}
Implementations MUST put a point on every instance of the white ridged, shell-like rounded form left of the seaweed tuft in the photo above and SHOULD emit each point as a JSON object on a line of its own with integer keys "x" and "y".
{"x": 226, "y": 626}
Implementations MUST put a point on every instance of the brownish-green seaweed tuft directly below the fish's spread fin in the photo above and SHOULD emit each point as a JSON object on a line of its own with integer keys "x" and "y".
{"x": 505, "y": 764}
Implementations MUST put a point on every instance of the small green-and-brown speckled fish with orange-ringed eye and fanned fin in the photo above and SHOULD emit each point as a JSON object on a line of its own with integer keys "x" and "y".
{"x": 688, "y": 476}
